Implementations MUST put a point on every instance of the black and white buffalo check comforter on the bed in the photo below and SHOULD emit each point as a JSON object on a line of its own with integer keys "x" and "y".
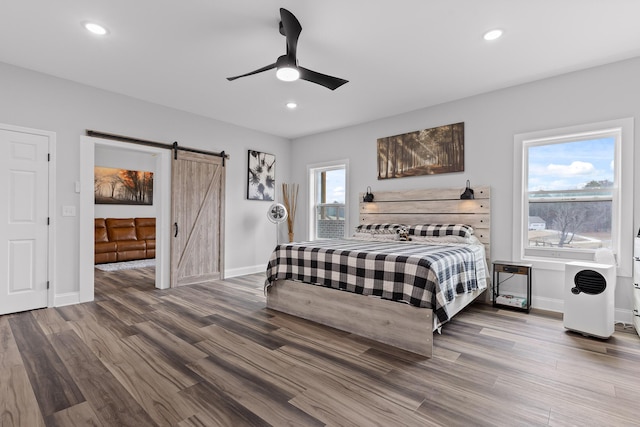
{"x": 419, "y": 274}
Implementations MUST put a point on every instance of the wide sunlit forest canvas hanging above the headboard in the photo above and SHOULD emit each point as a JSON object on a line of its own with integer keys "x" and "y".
{"x": 424, "y": 152}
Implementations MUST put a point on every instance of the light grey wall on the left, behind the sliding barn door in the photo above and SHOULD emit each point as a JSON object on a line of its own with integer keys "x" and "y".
{"x": 39, "y": 101}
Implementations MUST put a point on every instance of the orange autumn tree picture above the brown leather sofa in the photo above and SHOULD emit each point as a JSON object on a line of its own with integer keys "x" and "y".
{"x": 113, "y": 186}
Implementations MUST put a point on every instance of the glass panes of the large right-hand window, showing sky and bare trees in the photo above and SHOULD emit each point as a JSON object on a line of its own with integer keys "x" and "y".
{"x": 570, "y": 191}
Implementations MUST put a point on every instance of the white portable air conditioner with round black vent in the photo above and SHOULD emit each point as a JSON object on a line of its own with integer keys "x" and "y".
{"x": 589, "y": 297}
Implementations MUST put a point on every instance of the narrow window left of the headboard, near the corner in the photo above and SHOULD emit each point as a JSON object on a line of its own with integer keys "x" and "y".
{"x": 328, "y": 184}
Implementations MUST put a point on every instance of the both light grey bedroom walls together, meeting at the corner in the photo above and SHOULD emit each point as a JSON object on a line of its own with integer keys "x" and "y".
{"x": 44, "y": 102}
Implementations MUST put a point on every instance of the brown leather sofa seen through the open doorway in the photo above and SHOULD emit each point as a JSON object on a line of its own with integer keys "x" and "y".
{"x": 124, "y": 239}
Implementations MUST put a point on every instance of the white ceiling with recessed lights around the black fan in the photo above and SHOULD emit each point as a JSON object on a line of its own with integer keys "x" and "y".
{"x": 398, "y": 55}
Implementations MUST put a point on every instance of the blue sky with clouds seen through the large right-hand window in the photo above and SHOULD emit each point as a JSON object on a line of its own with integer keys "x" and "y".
{"x": 570, "y": 165}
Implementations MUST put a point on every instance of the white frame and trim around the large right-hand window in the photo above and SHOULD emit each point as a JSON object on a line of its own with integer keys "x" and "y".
{"x": 622, "y": 200}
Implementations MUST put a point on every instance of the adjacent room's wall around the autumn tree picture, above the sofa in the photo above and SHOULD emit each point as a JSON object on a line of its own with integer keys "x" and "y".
{"x": 114, "y": 158}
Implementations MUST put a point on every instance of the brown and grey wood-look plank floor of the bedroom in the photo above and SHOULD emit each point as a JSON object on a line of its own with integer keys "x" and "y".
{"x": 212, "y": 355}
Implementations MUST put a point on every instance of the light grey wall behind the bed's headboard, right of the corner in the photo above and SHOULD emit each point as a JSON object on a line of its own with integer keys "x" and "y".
{"x": 491, "y": 121}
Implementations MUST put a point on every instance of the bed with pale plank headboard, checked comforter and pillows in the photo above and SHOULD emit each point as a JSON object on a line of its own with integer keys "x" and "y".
{"x": 397, "y": 292}
